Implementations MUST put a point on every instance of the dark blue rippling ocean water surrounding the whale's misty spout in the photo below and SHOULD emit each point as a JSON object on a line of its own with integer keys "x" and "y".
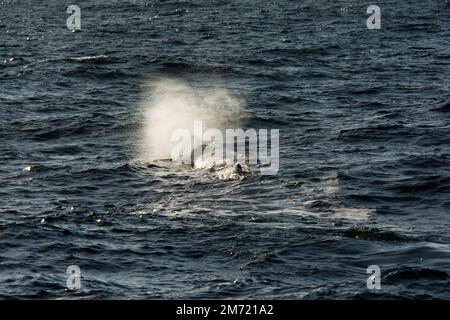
{"x": 364, "y": 175}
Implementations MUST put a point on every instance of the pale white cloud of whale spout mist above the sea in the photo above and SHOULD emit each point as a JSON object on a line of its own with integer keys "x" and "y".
{"x": 174, "y": 104}
